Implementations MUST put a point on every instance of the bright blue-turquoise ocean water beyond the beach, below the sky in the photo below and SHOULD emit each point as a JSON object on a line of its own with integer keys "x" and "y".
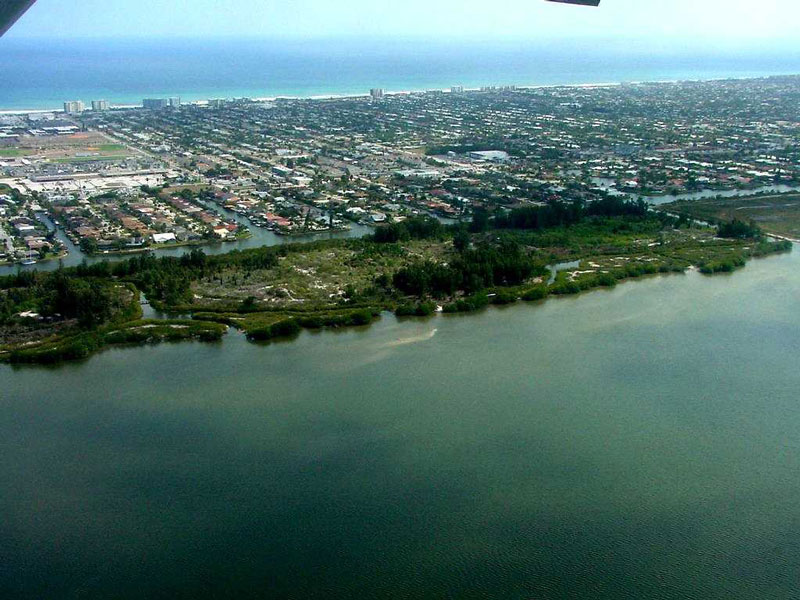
{"x": 44, "y": 73}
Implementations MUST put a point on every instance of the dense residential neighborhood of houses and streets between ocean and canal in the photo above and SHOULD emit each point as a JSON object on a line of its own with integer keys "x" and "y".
{"x": 203, "y": 172}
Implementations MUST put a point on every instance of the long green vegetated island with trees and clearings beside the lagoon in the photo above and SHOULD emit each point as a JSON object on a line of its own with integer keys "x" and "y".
{"x": 412, "y": 268}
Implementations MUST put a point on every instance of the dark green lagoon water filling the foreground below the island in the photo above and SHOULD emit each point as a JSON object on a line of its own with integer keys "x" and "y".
{"x": 637, "y": 443}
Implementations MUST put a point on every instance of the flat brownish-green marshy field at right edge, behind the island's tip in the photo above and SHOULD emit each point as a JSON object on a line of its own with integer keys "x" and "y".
{"x": 779, "y": 215}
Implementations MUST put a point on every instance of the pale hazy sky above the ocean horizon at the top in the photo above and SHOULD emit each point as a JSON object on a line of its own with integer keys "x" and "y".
{"x": 734, "y": 20}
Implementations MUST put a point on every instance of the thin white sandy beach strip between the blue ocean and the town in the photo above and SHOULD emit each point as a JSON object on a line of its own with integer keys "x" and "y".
{"x": 346, "y": 96}
